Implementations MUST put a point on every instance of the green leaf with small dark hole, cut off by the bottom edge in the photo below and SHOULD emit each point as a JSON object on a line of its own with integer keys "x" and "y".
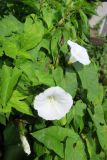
{"x": 75, "y": 150}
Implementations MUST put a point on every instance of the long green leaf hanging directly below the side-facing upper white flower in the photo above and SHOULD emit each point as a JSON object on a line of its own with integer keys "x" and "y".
{"x": 89, "y": 79}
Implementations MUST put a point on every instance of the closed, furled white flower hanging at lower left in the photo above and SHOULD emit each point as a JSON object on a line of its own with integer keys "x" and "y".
{"x": 25, "y": 144}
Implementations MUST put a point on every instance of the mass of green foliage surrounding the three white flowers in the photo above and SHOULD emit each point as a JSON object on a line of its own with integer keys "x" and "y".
{"x": 33, "y": 57}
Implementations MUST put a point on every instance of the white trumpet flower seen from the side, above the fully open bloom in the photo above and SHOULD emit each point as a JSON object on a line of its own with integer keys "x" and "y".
{"x": 78, "y": 53}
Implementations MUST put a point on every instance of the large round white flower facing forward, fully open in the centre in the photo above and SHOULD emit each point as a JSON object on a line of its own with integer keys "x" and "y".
{"x": 53, "y": 103}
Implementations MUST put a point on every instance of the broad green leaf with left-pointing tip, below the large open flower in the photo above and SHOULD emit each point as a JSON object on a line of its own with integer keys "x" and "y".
{"x": 51, "y": 140}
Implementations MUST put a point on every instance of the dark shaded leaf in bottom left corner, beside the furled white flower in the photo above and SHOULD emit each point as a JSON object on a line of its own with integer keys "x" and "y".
{"x": 12, "y": 147}
